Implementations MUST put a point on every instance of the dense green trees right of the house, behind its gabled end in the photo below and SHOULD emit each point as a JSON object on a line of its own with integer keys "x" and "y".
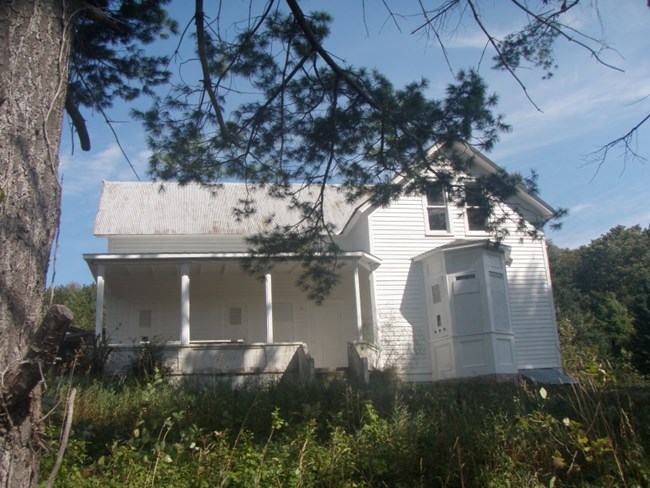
{"x": 603, "y": 289}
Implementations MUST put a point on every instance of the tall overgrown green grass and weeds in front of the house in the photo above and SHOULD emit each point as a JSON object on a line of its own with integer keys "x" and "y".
{"x": 333, "y": 434}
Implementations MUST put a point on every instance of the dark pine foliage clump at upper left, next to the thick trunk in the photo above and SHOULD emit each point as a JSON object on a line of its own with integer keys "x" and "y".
{"x": 108, "y": 60}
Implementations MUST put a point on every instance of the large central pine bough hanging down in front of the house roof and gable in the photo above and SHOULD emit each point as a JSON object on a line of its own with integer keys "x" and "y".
{"x": 300, "y": 116}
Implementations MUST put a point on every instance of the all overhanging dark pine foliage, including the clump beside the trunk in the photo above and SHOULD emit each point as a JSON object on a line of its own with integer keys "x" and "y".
{"x": 273, "y": 107}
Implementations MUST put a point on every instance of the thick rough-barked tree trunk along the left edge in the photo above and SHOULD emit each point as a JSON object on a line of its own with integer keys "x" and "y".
{"x": 34, "y": 54}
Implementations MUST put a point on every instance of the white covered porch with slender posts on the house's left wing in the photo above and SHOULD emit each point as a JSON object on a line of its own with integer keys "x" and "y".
{"x": 210, "y": 317}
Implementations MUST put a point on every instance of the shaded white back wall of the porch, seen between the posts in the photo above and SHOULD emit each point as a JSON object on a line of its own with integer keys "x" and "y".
{"x": 215, "y": 288}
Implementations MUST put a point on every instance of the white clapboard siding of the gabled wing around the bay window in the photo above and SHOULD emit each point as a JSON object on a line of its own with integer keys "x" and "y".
{"x": 397, "y": 234}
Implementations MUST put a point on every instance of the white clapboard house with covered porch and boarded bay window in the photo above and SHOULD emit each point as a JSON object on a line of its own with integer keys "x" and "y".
{"x": 422, "y": 289}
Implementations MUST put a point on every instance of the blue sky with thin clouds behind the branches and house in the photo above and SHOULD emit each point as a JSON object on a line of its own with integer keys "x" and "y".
{"x": 583, "y": 106}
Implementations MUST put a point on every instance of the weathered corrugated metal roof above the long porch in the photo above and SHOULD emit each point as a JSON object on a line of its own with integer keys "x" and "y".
{"x": 151, "y": 208}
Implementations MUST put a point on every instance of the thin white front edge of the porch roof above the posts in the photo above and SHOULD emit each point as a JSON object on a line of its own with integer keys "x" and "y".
{"x": 365, "y": 259}
